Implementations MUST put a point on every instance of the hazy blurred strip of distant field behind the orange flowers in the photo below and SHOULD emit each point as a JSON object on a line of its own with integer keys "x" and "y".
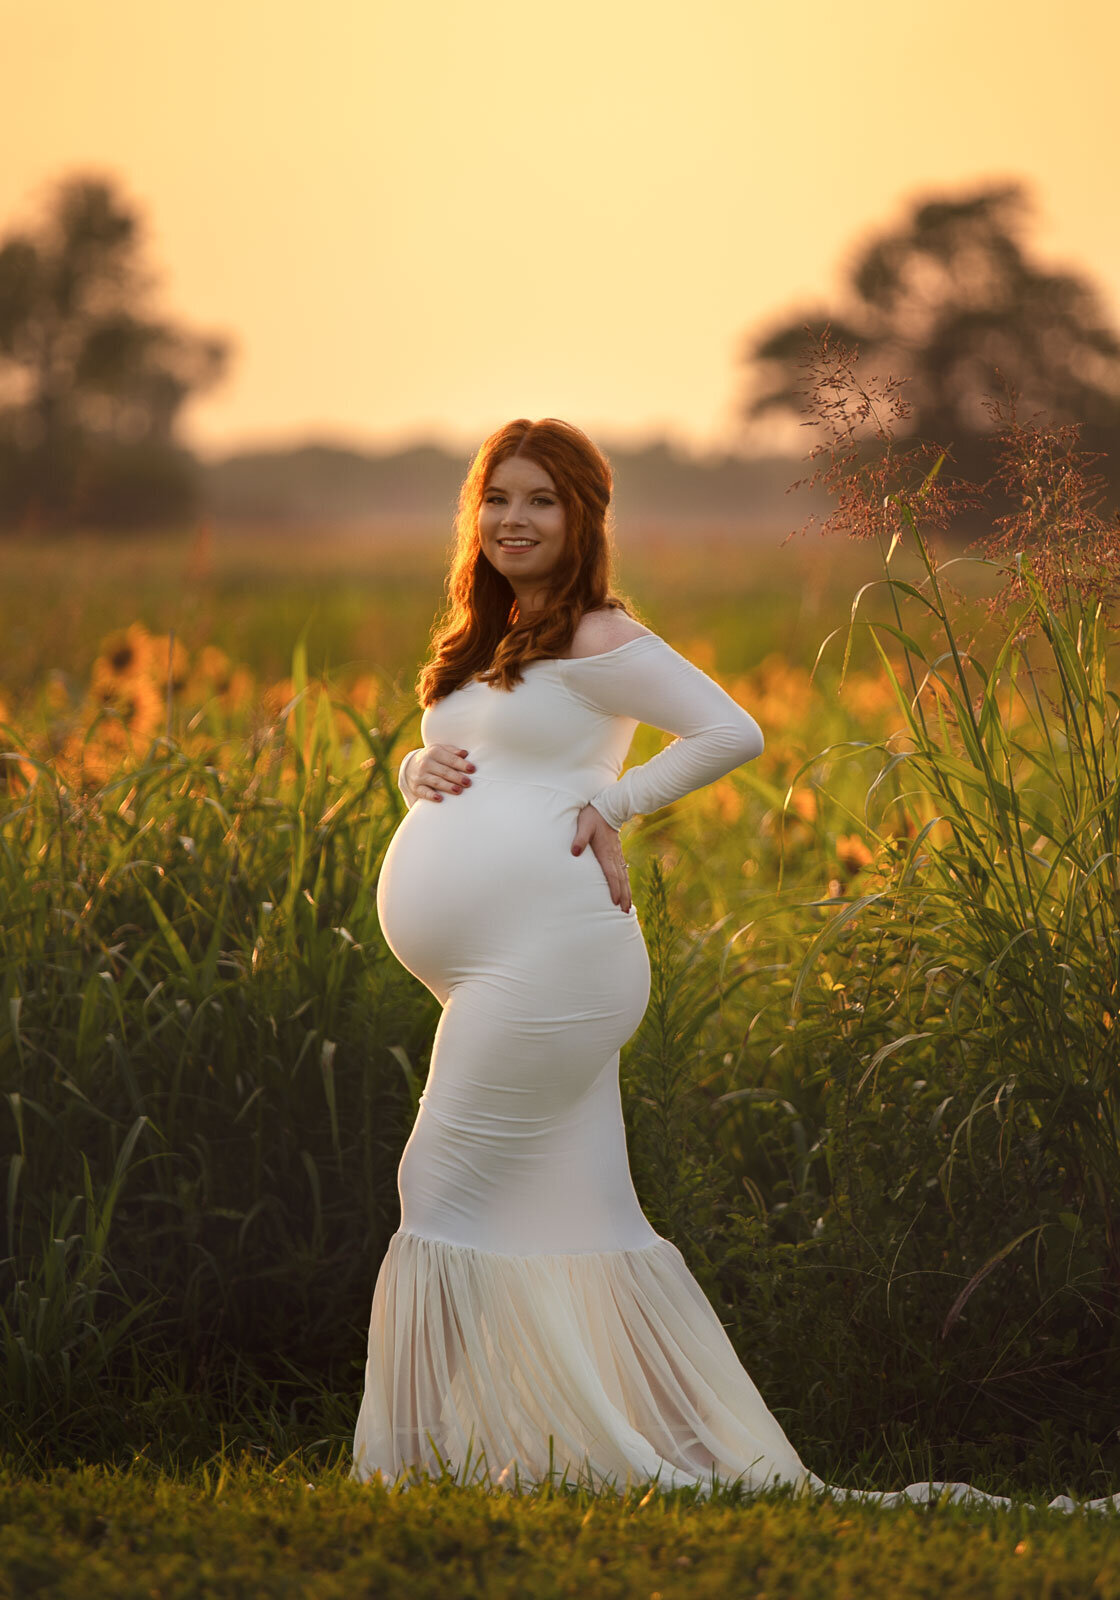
{"x": 372, "y": 601}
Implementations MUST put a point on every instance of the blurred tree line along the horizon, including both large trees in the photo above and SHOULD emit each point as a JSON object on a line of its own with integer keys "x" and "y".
{"x": 94, "y": 383}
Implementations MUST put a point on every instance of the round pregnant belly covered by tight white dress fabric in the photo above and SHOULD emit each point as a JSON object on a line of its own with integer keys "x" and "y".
{"x": 482, "y": 886}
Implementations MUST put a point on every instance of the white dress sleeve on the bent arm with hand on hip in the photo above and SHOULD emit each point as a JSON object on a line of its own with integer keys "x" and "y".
{"x": 650, "y": 682}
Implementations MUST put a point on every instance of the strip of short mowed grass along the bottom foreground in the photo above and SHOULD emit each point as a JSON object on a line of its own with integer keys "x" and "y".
{"x": 246, "y": 1530}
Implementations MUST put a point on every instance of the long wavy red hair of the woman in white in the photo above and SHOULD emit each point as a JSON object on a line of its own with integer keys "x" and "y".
{"x": 481, "y": 633}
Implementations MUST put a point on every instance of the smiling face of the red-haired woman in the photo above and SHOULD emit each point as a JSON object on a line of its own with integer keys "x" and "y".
{"x": 522, "y": 527}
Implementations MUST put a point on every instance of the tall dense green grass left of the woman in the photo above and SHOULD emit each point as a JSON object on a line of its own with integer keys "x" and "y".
{"x": 202, "y": 1057}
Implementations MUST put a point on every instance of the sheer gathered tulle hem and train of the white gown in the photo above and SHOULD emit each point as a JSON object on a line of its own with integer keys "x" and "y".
{"x": 596, "y": 1369}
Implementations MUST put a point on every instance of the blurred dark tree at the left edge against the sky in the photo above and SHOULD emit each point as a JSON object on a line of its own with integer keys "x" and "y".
{"x": 90, "y": 386}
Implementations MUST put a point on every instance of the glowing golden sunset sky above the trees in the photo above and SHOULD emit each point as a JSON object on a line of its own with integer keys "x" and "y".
{"x": 420, "y": 220}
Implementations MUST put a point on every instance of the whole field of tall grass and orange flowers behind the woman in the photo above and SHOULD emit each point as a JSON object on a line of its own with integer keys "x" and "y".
{"x": 873, "y": 1102}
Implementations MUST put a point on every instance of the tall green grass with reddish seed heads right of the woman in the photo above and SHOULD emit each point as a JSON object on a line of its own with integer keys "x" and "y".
{"x": 927, "y": 1135}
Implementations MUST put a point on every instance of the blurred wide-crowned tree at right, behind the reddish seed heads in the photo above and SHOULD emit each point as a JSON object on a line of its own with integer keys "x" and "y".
{"x": 945, "y": 302}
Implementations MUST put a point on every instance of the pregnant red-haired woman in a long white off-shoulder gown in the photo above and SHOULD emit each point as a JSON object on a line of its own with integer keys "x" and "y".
{"x": 527, "y": 1319}
